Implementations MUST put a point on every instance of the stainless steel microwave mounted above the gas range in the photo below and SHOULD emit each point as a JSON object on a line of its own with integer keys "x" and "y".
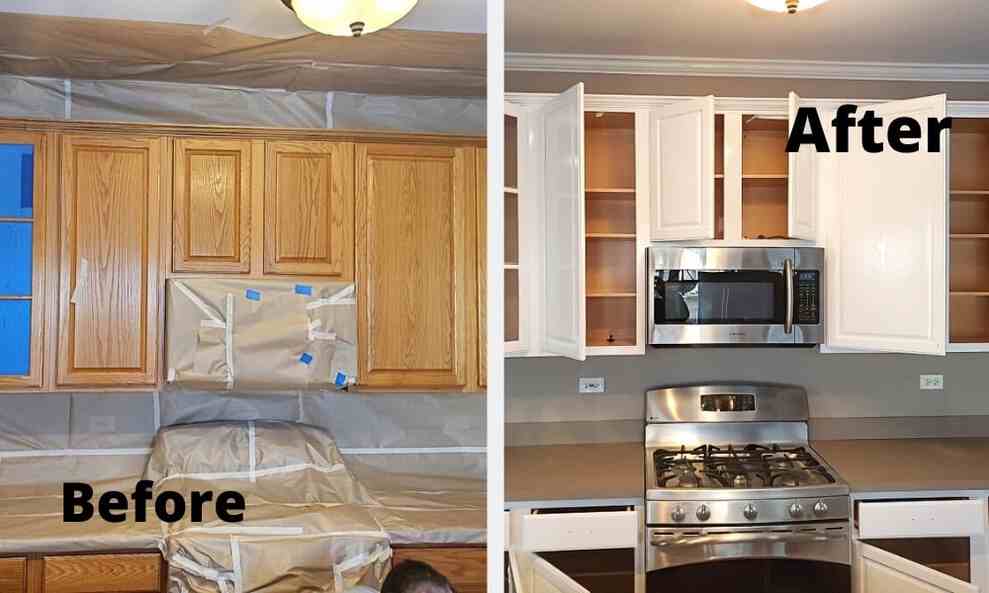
{"x": 736, "y": 295}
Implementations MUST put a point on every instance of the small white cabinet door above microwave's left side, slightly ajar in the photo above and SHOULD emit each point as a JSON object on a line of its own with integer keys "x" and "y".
{"x": 682, "y": 162}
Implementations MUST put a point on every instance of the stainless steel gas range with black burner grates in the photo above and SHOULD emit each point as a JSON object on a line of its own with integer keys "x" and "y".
{"x": 735, "y": 494}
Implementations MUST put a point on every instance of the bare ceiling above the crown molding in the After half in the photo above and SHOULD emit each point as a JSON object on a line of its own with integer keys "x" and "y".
{"x": 928, "y": 31}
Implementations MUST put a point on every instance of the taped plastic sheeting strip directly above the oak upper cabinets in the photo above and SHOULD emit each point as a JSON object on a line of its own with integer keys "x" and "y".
{"x": 205, "y": 104}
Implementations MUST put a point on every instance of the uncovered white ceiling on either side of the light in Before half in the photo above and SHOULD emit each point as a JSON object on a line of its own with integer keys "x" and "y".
{"x": 264, "y": 18}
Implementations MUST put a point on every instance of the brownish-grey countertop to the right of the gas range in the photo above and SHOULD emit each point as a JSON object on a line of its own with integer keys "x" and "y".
{"x": 894, "y": 465}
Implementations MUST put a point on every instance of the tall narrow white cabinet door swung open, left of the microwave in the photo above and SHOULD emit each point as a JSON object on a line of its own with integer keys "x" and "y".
{"x": 562, "y": 123}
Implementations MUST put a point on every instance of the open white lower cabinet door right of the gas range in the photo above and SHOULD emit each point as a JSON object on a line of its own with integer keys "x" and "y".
{"x": 882, "y": 572}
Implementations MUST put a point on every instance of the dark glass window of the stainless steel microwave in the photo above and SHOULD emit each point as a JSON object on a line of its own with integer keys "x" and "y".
{"x": 728, "y": 297}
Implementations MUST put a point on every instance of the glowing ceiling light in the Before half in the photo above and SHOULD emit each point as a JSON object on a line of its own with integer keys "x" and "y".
{"x": 349, "y": 17}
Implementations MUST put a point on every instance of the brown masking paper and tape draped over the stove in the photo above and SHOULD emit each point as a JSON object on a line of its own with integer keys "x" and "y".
{"x": 308, "y": 524}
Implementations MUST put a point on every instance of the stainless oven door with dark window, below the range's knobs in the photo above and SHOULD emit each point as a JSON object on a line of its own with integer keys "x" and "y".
{"x": 766, "y": 559}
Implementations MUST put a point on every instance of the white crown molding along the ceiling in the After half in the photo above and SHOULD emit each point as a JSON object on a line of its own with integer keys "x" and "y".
{"x": 745, "y": 68}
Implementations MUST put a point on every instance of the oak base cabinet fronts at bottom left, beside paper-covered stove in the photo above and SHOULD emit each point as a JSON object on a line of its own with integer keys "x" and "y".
{"x": 83, "y": 573}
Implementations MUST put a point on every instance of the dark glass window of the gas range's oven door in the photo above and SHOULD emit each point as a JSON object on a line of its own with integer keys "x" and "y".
{"x": 753, "y": 576}
